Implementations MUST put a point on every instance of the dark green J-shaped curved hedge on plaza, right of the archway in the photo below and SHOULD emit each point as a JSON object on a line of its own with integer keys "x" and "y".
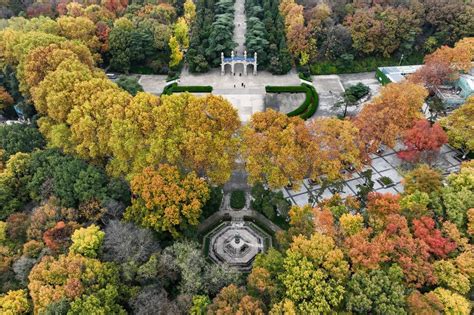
{"x": 310, "y": 104}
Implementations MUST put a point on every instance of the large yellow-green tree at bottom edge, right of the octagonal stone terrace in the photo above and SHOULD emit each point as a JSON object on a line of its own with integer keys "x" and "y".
{"x": 315, "y": 274}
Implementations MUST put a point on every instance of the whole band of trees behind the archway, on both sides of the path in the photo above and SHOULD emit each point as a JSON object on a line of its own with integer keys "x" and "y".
{"x": 322, "y": 37}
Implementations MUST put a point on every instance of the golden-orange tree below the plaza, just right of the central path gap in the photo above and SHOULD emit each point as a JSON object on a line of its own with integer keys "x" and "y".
{"x": 274, "y": 146}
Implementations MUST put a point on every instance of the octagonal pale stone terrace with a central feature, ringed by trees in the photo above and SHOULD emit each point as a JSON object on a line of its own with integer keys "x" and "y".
{"x": 236, "y": 243}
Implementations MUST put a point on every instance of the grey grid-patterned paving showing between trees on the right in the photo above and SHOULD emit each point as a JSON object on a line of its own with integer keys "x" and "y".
{"x": 386, "y": 165}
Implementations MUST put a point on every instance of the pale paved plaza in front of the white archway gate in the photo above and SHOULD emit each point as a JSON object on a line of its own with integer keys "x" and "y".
{"x": 247, "y": 93}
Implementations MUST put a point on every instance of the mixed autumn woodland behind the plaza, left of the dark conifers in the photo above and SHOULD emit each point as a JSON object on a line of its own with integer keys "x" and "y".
{"x": 126, "y": 37}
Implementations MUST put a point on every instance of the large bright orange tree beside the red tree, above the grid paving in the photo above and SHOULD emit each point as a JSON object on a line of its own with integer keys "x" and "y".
{"x": 388, "y": 115}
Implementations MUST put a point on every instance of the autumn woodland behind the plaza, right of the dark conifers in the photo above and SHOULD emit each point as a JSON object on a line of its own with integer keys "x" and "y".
{"x": 355, "y": 36}
